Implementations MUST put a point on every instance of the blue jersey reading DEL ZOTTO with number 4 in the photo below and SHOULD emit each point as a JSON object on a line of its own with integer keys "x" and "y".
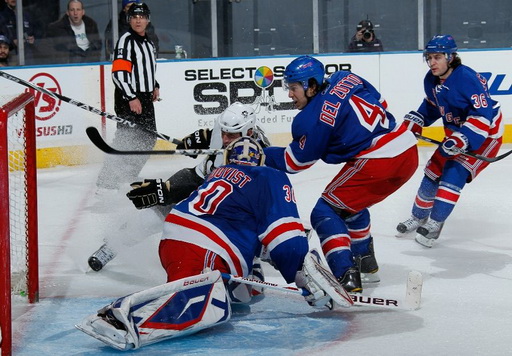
{"x": 347, "y": 120}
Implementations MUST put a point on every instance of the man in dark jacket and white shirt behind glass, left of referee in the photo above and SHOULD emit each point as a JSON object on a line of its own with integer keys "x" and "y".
{"x": 74, "y": 38}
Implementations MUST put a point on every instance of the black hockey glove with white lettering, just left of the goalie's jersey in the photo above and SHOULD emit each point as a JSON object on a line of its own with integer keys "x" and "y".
{"x": 149, "y": 193}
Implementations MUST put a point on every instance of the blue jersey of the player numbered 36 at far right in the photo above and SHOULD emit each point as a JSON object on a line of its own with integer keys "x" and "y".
{"x": 464, "y": 104}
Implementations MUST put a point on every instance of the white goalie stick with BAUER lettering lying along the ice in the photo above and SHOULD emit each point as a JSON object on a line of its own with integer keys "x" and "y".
{"x": 412, "y": 300}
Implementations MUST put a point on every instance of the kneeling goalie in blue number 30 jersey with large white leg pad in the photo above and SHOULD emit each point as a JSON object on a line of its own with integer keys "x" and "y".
{"x": 241, "y": 207}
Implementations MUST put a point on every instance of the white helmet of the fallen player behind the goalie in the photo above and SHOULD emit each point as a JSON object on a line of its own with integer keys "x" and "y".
{"x": 237, "y": 118}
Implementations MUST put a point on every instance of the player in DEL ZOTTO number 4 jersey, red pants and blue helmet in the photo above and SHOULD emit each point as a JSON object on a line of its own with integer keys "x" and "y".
{"x": 343, "y": 119}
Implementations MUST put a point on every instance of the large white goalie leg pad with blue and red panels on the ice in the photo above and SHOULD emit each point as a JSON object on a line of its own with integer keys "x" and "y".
{"x": 170, "y": 310}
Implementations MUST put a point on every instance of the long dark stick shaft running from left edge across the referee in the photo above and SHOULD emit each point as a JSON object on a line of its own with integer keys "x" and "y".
{"x": 85, "y": 106}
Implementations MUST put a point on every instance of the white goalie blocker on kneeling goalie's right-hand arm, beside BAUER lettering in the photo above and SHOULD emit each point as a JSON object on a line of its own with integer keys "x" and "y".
{"x": 324, "y": 280}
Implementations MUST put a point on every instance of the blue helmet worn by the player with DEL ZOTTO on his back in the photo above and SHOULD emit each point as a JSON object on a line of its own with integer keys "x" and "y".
{"x": 301, "y": 69}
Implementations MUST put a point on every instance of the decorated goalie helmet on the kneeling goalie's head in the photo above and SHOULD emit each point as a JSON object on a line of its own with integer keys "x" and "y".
{"x": 244, "y": 151}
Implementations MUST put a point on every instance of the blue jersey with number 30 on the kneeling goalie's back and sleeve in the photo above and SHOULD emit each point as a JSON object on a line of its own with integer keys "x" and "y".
{"x": 236, "y": 211}
